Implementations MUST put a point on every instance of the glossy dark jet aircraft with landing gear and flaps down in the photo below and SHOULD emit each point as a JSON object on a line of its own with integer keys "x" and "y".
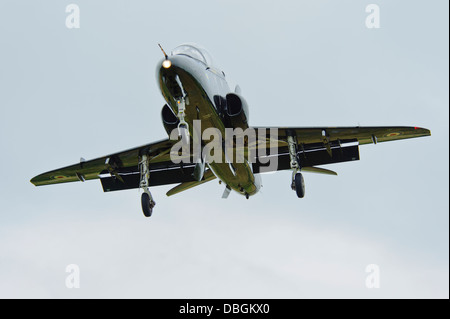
{"x": 210, "y": 137}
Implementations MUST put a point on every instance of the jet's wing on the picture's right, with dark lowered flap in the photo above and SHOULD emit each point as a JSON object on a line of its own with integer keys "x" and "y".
{"x": 326, "y": 145}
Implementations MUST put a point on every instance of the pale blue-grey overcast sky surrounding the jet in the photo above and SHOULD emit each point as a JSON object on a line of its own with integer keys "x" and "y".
{"x": 86, "y": 92}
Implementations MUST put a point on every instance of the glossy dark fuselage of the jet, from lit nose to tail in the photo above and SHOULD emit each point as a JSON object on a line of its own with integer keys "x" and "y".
{"x": 203, "y": 88}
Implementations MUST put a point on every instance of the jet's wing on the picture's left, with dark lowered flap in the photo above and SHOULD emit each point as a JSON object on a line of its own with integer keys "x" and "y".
{"x": 120, "y": 170}
